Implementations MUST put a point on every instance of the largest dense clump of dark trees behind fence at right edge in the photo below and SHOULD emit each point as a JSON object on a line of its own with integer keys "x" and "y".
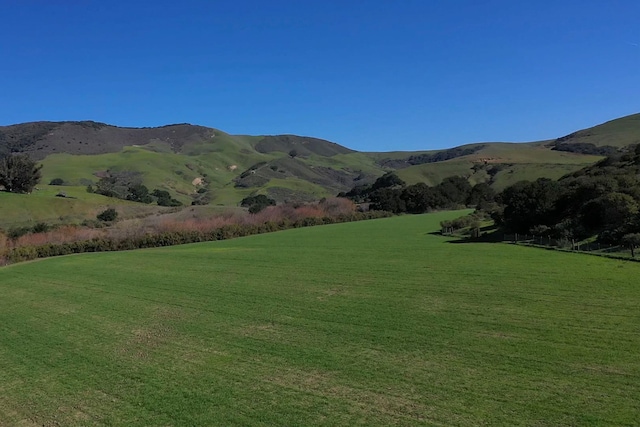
{"x": 602, "y": 200}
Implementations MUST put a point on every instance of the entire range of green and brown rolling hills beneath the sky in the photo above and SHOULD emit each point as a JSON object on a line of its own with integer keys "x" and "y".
{"x": 211, "y": 166}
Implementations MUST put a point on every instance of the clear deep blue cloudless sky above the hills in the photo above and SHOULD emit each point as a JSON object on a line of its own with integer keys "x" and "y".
{"x": 374, "y": 75}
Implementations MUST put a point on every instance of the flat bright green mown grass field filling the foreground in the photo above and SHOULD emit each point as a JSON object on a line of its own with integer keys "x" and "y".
{"x": 368, "y": 323}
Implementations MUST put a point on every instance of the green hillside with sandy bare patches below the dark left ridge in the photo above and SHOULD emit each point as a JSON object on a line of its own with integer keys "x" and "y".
{"x": 225, "y": 162}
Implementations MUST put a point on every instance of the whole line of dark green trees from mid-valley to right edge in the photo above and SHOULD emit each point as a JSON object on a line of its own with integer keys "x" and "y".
{"x": 602, "y": 200}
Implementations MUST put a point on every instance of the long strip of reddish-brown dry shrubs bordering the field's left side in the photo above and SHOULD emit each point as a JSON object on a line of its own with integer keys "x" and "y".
{"x": 172, "y": 229}
